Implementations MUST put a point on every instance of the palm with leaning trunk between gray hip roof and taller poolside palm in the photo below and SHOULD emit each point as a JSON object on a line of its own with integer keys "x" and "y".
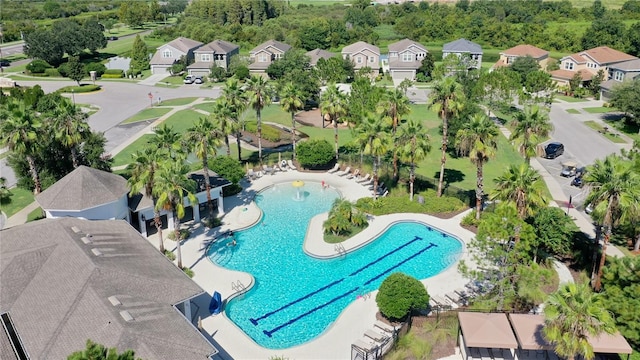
{"x": 143, "y": 169}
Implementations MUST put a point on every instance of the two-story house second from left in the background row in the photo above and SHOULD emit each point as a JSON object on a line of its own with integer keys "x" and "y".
{"x": 217, "y": 52}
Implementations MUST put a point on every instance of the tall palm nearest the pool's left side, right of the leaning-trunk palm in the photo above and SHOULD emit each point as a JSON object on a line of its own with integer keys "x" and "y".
{"x": 171, "y": 187}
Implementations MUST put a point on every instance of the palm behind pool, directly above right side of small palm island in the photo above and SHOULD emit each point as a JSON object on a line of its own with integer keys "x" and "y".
{"x": 373, "y": 131}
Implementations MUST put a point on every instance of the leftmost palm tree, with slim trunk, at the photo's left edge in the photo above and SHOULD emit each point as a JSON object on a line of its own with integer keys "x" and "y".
{"x": 18, "y": 132}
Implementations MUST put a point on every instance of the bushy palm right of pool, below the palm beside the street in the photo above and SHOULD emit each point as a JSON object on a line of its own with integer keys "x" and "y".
{"x": 520, "y": 185}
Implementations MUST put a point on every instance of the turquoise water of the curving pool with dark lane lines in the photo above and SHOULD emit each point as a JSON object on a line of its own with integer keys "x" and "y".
{"x": 296, "y": 297}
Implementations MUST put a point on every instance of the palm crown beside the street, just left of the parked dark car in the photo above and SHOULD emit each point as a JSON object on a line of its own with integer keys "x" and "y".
{"x": 529, "y": 126}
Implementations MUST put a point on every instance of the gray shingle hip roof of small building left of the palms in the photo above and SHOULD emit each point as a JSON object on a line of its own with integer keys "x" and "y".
{"x": 83, "y": 188}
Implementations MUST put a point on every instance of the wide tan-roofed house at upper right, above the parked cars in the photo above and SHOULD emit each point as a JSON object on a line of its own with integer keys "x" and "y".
{"x": 587, "y": 63}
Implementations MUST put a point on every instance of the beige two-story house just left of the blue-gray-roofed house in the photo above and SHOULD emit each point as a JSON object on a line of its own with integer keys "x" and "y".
{"x": 405, "y": 58}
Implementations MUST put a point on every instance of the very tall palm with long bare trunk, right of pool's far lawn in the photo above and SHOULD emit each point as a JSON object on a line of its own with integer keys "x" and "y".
{"x": 447, "y": 99}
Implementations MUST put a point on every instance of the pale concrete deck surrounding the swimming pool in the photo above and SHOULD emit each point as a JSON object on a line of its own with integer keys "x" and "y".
{"x": 358, "y": 317}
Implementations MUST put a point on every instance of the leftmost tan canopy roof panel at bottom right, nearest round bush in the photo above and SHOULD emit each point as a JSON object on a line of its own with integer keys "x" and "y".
{"x": 487, "y": 330}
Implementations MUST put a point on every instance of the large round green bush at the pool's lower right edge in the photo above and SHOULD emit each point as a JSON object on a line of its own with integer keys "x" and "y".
{"x": 400, "y": 294}
